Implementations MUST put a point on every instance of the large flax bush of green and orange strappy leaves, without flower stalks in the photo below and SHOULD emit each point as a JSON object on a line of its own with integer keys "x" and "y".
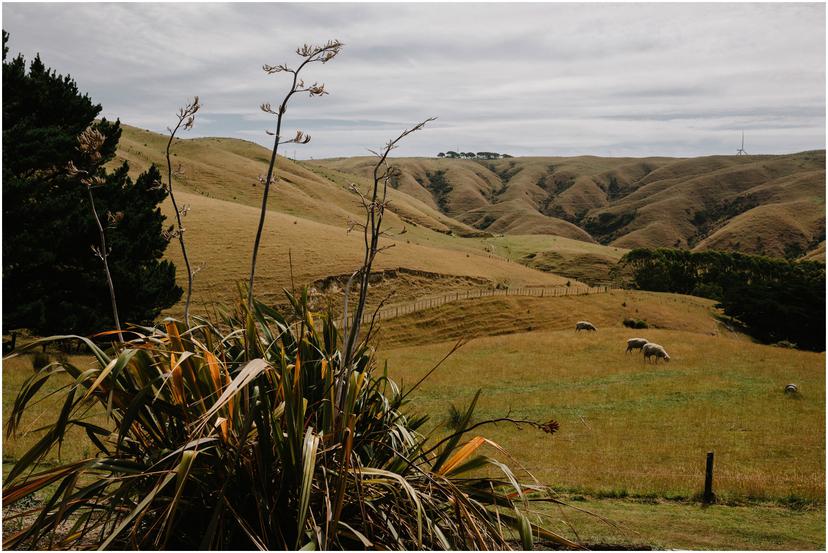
{"x": 208, "y": 450}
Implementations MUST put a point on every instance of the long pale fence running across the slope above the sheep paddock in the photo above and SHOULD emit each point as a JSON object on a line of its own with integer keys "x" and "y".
{"x": 393, "y": 311}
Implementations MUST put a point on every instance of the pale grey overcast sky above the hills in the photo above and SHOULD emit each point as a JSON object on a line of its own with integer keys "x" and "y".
{"x": 523, "y": 79}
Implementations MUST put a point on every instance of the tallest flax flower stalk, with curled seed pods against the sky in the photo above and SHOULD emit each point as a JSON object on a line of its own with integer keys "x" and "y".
{"x": 309, "y": 54}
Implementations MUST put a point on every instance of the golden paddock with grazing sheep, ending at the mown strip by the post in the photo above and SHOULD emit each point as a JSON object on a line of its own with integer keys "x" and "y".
{"x": 627, "y": 428}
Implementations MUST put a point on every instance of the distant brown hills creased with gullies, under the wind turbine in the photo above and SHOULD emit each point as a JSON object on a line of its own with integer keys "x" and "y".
{"x": 771, "y": 205}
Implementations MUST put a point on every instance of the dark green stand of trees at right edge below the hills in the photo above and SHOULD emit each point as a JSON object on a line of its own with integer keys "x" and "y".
{"x": 776, "y": 299}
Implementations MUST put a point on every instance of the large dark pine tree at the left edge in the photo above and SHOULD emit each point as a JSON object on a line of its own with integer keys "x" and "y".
{"x": 52, "y": 281}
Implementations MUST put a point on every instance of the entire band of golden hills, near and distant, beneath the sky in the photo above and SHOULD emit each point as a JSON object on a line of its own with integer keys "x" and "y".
{"x": 511, "y": 222}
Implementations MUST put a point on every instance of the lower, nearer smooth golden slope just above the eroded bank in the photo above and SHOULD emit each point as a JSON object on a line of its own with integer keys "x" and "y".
{"x": 220, "y": 239}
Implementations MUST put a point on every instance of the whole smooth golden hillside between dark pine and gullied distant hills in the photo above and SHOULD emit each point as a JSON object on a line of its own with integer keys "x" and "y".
{"x": 309, "y": 210}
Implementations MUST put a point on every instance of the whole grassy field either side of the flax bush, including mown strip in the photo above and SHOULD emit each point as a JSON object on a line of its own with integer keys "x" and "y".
{"x": 633, "y": 437}
